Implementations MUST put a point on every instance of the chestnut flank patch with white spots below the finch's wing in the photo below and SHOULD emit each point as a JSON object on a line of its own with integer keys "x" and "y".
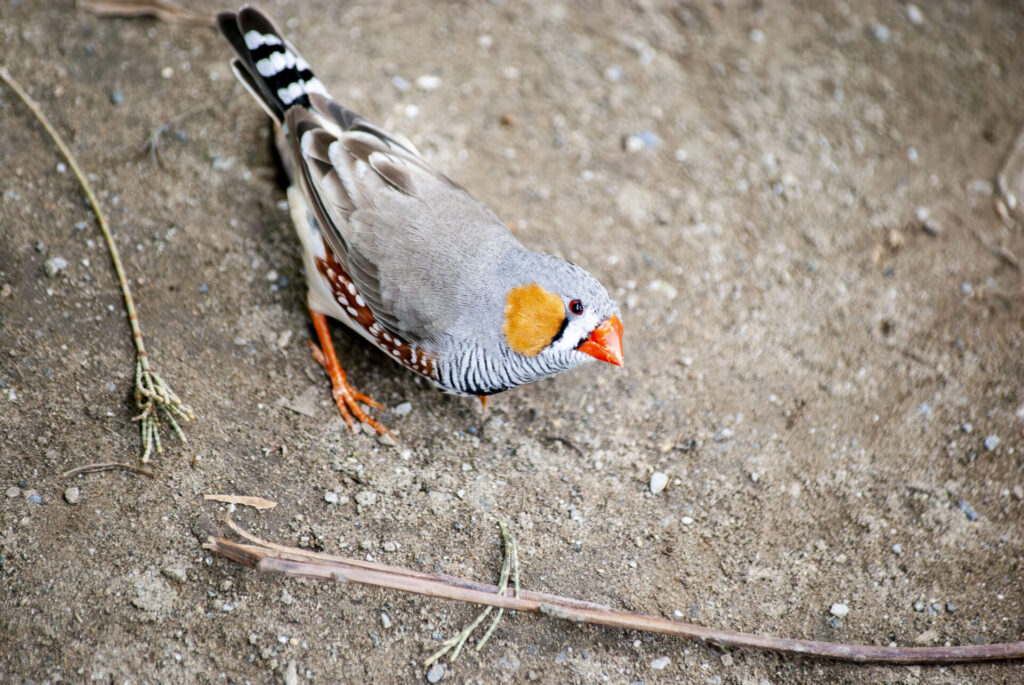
{"x": 413, "y": 358}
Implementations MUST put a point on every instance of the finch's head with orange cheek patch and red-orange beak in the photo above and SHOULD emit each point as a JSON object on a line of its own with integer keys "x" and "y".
{"x": 563, "y": 319}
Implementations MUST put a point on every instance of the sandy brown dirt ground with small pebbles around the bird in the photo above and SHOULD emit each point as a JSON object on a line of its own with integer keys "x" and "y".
{"x": 825, "y": 342}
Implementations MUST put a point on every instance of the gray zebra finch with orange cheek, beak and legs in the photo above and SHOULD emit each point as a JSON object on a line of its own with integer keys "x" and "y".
{"x": 406, "y": 258}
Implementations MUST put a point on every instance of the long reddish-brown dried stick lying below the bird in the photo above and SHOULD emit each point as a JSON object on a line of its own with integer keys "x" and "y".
{"x": 270, "y": 558}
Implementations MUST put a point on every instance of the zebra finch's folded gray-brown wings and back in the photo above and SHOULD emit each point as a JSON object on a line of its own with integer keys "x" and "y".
{"x": 418, "y": 247}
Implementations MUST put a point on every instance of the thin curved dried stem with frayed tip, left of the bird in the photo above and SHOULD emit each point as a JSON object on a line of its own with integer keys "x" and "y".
{"x": 154, "y": 398}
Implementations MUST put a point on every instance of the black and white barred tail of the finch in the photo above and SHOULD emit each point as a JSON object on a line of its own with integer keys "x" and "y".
{"x": 268, "y": 65}
